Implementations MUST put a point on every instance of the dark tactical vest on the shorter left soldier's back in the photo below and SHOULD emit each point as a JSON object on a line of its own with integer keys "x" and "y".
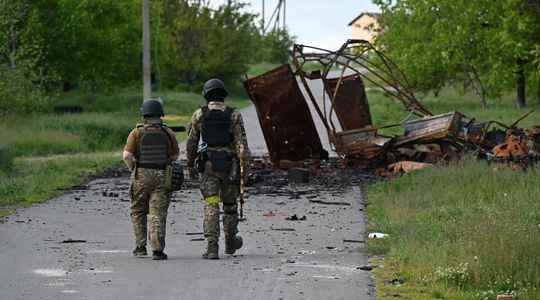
{"x": 153, "y": 147}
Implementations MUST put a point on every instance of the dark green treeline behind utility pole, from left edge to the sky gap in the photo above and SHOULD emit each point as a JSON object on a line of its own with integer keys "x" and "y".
{"x": 54, "y": 45}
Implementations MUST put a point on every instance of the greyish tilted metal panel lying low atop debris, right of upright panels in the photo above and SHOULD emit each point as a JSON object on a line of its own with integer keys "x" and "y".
{"x": 431, "y": 128}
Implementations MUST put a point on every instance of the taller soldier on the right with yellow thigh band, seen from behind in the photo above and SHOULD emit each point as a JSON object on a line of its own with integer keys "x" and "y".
{"x": 224, "y": 145}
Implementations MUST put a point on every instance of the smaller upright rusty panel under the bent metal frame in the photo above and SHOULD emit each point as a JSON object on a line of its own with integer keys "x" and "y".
{"x": 351, "y": 104}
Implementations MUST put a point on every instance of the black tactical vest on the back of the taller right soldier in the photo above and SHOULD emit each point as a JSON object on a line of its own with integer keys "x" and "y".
{"x": 216, "y": 127}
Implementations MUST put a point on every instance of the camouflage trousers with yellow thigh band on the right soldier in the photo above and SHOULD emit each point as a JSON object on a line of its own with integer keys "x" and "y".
{"x": 215, "y": 189}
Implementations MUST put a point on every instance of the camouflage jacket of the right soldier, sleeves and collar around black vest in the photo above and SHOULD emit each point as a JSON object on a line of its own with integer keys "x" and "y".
{"x": 239, "y": 146}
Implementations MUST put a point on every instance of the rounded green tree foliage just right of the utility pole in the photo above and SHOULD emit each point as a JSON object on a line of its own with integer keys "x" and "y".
{"x": 200, "y": 43}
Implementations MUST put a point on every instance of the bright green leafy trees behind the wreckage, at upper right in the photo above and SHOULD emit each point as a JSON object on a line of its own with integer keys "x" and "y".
{"x": 491, "y": 47}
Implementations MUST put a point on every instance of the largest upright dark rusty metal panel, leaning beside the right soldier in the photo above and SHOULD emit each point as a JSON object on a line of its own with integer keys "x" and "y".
{"x": 286, "y": 121}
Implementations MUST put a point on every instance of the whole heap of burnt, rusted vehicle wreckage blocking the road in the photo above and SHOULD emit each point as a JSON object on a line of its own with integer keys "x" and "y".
{"x": 342, "y": 106}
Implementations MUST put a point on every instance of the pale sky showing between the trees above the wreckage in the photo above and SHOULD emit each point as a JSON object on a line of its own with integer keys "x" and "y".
{"x": 320, "y": 23}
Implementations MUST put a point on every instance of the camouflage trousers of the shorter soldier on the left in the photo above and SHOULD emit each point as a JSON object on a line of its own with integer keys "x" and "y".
{"x": 150, "y": 196}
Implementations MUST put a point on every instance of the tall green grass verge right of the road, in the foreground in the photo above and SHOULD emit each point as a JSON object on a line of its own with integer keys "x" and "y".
{"x": 465, "y": 231}
